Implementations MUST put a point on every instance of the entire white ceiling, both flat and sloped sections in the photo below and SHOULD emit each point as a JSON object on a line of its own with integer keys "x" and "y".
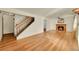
{"x": 48, "y": 12}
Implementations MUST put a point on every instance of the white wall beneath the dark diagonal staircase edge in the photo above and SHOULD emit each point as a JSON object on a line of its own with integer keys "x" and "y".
{"x": 35, "y": 28}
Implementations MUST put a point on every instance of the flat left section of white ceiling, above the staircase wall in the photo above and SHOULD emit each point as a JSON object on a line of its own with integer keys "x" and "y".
{"x": 37, "y": 11}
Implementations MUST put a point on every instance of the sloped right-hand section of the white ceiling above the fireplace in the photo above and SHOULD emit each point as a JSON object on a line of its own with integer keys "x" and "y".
{"x": 62, "y": 13}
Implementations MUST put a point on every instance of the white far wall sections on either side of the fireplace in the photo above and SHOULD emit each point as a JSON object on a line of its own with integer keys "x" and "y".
{"x": 68, "y": 20}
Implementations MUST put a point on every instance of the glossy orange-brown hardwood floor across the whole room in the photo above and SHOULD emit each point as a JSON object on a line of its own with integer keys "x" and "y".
{"x": 48, "y": 41}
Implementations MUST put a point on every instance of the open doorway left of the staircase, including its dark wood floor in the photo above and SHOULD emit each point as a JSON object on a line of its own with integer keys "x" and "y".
{"x": 8, "y": 28}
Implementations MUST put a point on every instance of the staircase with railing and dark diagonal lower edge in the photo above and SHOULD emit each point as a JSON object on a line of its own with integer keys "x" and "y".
{"x": 22, "y": 25}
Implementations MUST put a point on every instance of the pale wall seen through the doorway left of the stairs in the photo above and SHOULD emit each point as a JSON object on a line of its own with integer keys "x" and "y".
{"x": 8, "y": 24}
